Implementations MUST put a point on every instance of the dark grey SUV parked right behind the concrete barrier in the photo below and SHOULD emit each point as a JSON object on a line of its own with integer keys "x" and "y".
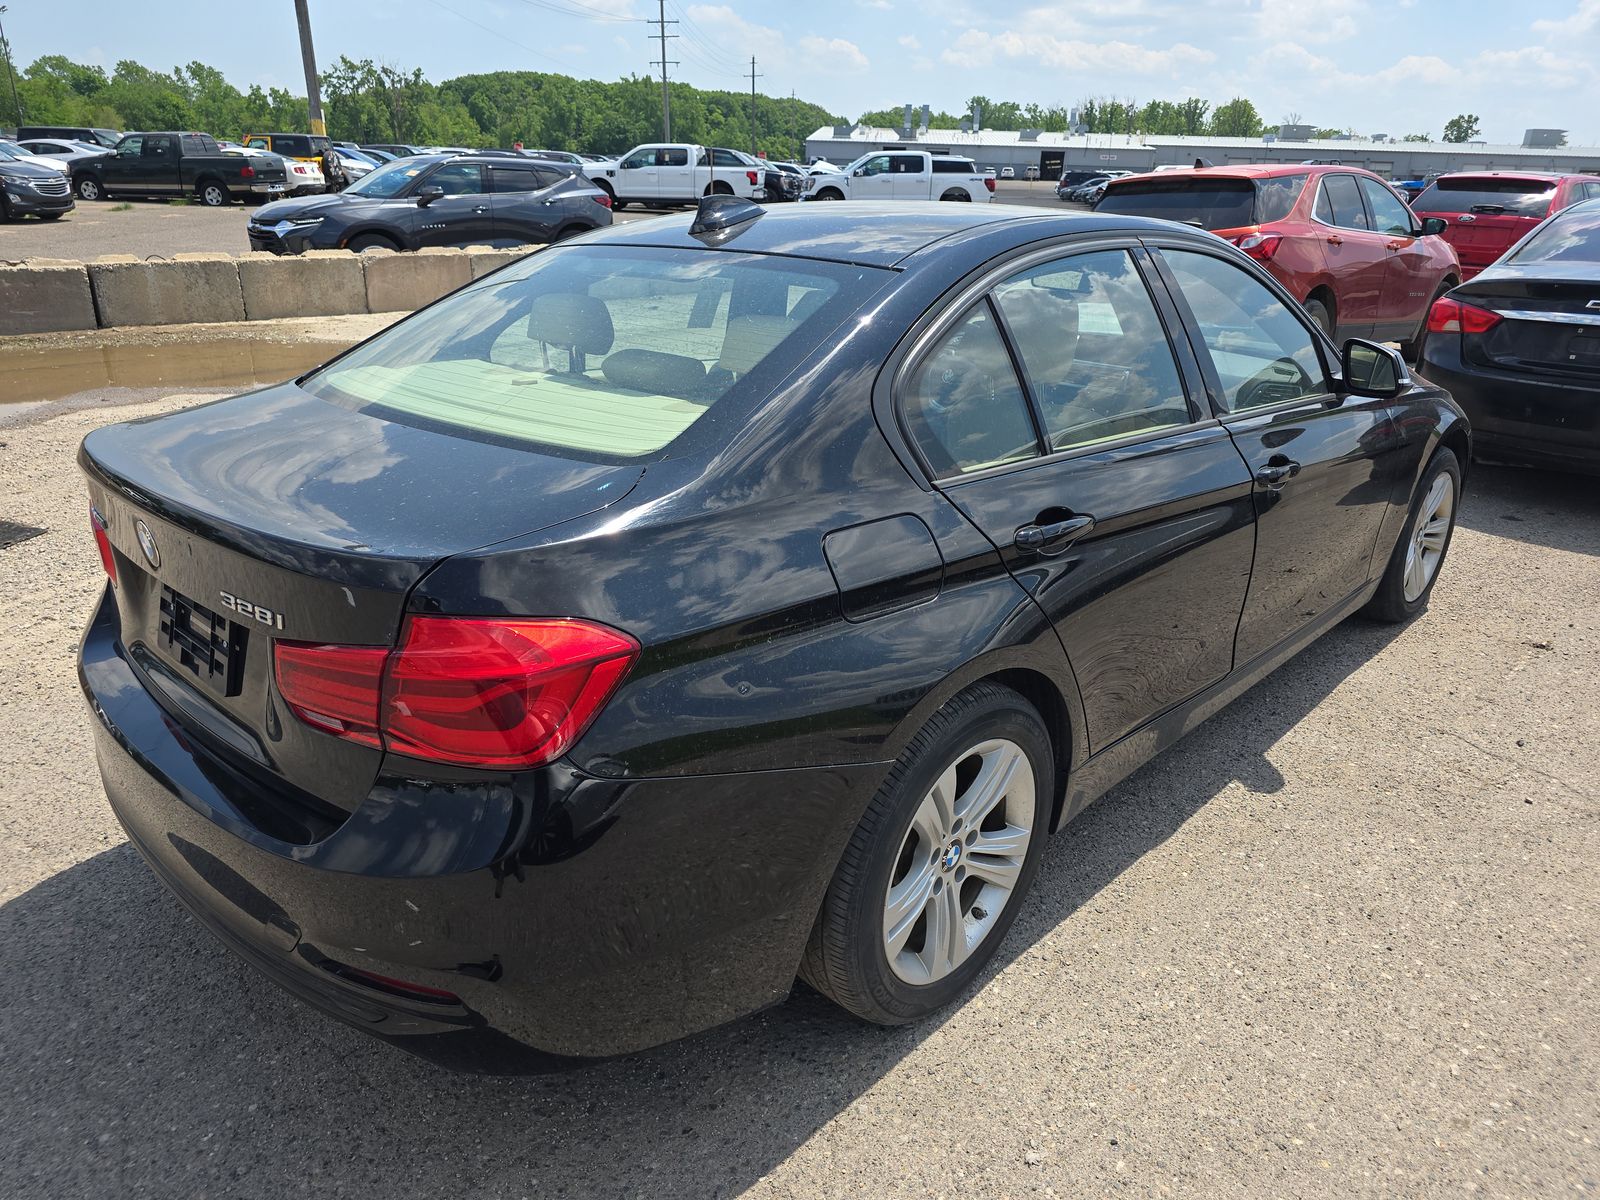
{"x": 438, "y": 201}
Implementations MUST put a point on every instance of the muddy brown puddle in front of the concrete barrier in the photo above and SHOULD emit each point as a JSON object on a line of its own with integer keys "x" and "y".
{"x": 60, "y": 372}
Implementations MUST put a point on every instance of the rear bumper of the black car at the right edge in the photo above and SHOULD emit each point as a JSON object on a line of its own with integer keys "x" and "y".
{"x": 1519, "y": 418}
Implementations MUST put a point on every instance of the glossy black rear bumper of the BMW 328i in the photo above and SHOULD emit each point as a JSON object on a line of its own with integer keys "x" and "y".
{"x": 556, "y": 916}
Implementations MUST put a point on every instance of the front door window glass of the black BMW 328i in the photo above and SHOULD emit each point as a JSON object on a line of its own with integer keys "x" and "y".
{"x": 1262, "y": 353}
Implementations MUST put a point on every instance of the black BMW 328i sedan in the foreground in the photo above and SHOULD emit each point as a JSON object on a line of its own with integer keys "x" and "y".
{"x": 690, "y": 607}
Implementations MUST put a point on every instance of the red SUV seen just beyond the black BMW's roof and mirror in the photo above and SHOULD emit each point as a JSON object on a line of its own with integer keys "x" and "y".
{"x": 1356, "y": 255}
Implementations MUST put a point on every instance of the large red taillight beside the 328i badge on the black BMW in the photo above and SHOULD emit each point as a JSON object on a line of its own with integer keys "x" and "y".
{"x": 487, "y": 692}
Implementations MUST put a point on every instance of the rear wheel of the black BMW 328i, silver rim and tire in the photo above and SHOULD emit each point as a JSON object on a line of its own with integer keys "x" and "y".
{"x": 938, "y": 866}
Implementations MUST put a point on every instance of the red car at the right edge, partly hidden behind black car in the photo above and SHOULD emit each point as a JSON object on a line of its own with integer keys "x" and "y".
{"x": 1490, "y": 212}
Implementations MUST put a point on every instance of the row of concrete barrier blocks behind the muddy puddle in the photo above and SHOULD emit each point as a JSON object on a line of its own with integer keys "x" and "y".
{"x": 55, "y": 295}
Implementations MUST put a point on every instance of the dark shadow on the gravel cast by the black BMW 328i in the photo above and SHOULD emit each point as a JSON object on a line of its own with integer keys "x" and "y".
{"x": 142, "y": 1055}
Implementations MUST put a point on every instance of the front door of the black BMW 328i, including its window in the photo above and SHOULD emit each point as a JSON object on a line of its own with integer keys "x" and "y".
{"x": 1324, "y": 465}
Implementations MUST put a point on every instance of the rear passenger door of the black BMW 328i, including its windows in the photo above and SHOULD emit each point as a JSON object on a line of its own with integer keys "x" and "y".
{"x": 1054, "y": 414}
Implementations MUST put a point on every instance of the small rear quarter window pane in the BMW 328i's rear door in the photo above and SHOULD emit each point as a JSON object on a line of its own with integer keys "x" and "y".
{"x": 964, "y": 404}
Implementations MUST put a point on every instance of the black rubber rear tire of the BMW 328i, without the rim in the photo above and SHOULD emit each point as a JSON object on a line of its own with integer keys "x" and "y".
{"x": 847, "y": 959}
